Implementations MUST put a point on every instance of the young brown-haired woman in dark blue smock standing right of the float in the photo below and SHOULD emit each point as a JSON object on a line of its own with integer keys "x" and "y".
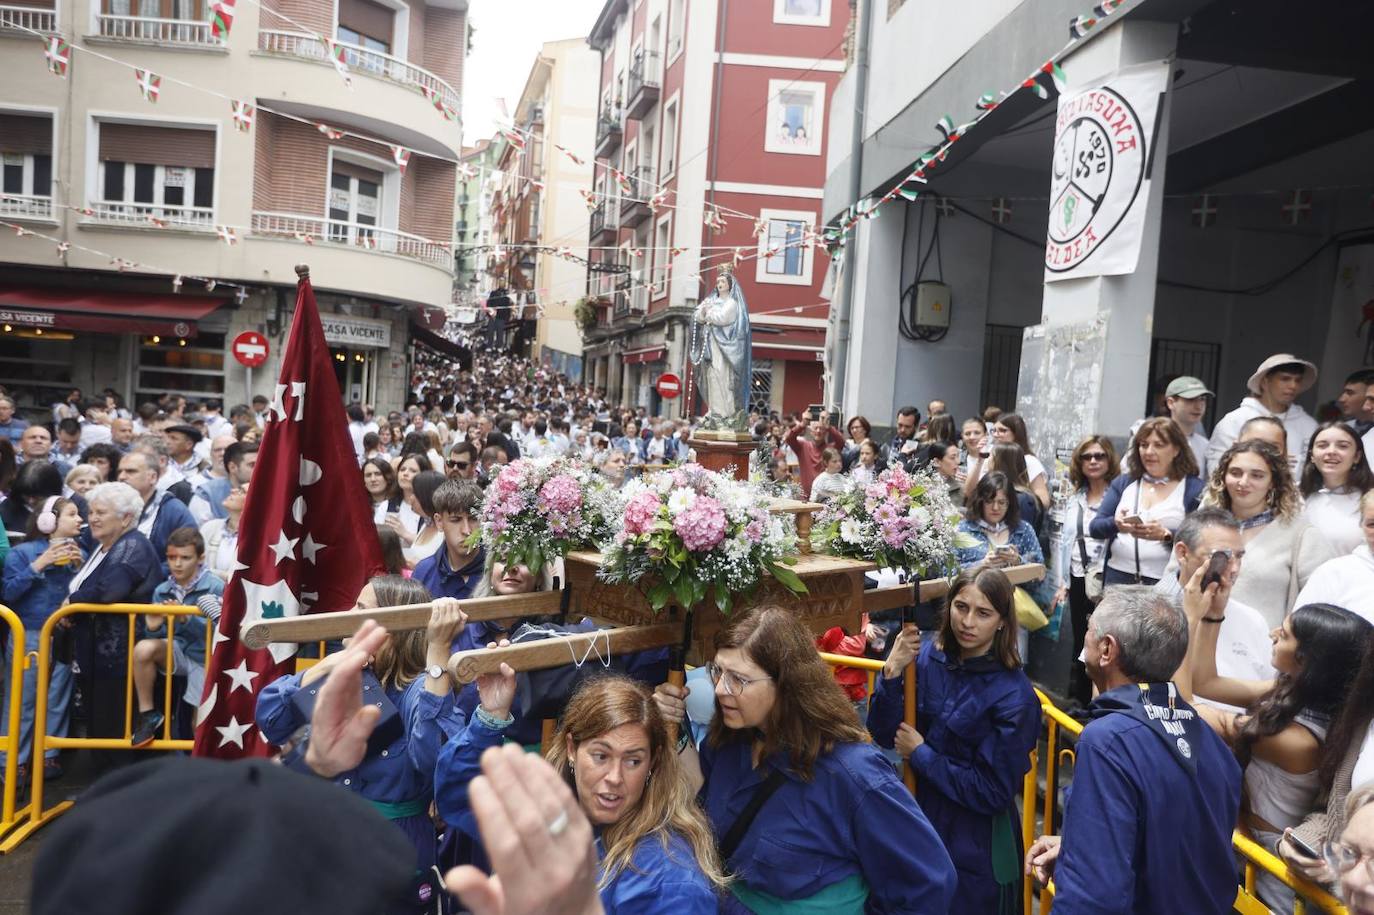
{"x": 978, "y": 721}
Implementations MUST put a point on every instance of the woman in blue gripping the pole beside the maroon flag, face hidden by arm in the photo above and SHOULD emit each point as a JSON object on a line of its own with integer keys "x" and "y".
{"x": 413, "y": 670}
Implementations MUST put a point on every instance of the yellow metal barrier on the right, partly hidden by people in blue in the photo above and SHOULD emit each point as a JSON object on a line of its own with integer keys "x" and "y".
{"x": 1254, "y": 858}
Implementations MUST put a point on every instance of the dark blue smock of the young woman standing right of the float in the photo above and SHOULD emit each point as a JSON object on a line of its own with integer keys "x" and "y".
{"x": 980, "y": 723}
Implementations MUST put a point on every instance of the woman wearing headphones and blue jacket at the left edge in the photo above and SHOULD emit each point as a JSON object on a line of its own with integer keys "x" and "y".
{"x": 36, "y": 579}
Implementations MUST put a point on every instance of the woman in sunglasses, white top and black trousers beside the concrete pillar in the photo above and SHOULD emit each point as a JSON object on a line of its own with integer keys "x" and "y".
{"x": 1092, "y": 469}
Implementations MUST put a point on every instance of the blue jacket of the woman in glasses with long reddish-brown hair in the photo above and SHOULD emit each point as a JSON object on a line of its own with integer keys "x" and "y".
{"x": 854, "y": 818}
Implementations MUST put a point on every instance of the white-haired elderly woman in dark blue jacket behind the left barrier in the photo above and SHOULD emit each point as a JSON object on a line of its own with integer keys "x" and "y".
{"x": 124, "y": 568}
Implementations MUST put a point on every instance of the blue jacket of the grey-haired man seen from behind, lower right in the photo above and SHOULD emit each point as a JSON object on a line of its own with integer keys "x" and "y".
{"x": 1148, "y": 822}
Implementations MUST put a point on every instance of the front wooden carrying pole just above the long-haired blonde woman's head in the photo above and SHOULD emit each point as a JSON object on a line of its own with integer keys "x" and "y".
{"x": 590, "y": 648}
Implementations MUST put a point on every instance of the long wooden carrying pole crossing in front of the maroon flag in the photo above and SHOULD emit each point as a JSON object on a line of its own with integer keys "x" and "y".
{"x": 322, "y": 627}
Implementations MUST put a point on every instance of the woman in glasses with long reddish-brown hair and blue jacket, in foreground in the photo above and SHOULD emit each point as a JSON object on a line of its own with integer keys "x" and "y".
{"x": 810, "y": 815}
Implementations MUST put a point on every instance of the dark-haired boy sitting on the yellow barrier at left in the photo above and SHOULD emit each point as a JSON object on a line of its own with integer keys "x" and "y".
{"x": 192, "y": 585}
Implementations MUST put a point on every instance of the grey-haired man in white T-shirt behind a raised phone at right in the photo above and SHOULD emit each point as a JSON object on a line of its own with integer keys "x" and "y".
{"x": 1243, "y": 646}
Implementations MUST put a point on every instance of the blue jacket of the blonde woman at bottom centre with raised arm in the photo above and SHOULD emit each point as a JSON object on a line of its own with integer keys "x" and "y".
{"x": 659, "y": 880}
